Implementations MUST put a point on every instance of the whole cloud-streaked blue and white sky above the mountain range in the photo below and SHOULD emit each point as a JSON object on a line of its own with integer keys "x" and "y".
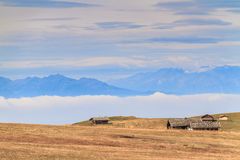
{"x": 108, "y": 39}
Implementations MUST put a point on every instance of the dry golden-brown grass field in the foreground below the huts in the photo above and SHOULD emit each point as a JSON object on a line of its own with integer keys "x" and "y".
{"x": 132, "y": 139}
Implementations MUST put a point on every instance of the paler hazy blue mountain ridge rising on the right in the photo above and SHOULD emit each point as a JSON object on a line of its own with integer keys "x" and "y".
{"x": 177, "y": 81}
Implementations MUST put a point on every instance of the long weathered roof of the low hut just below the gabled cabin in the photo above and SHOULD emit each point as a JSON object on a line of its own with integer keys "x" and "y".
{"x": 205, "y": 125}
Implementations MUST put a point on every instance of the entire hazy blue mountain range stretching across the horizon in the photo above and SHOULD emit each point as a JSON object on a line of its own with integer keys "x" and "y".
{"x": 167, "y": 80}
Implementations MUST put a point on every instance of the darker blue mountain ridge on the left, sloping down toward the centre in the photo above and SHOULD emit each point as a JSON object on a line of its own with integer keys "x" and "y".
{"x": 57, "y": 85}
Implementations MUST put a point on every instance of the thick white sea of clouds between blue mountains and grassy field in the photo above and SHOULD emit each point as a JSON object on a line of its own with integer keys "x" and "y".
{"x": 66, "y": 110}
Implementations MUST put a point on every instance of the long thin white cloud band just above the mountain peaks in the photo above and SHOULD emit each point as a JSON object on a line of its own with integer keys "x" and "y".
{"x": 188, "y": 62}
